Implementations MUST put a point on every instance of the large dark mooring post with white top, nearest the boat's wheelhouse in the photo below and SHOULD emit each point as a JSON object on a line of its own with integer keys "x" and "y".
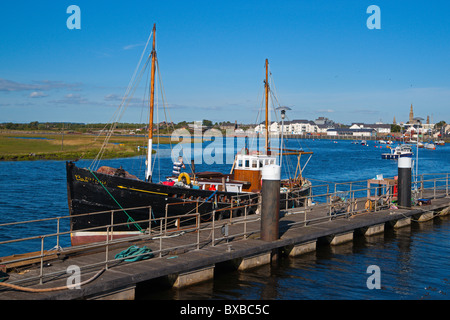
{"x": 270, "y": 203}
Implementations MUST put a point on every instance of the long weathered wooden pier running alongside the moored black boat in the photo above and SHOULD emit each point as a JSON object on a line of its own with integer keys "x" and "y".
{"x": 183, "y": 257}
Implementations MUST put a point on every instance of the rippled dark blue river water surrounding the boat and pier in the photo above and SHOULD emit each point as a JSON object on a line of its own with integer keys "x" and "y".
{"x": 414, "y": 262}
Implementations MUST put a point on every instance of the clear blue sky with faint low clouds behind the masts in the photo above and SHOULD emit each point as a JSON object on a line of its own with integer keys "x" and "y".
{"x": 323, "y": 58}
